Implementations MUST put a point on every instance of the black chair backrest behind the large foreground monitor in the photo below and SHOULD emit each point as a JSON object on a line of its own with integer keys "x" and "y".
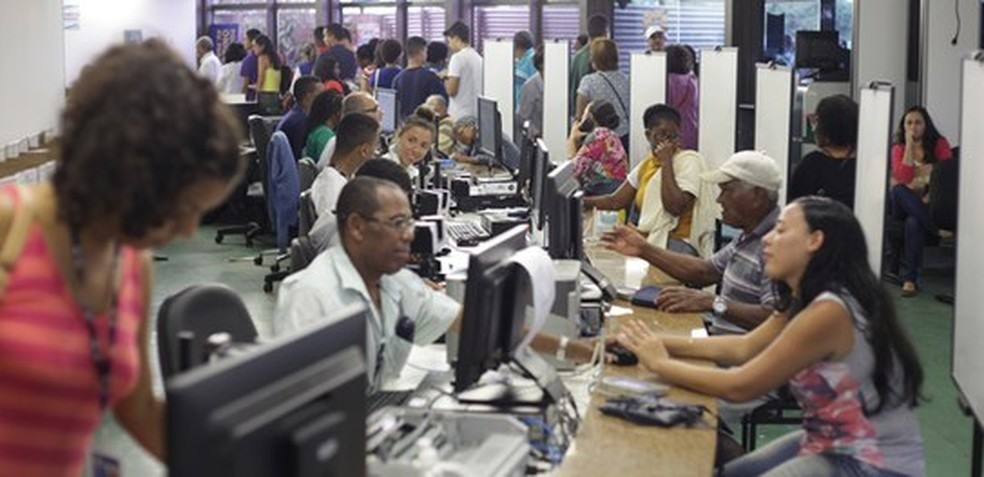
{"x": 203, "y": 310}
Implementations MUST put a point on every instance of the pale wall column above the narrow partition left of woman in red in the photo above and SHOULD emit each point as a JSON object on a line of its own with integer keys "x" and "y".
{"x": 880, "y": 46}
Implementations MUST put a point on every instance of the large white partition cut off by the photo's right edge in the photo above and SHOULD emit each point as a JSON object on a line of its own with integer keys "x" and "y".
{"x": 968, "y": 327}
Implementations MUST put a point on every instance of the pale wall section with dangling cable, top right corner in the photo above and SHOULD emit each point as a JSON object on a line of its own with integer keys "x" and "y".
{"x": 941, "y": 60}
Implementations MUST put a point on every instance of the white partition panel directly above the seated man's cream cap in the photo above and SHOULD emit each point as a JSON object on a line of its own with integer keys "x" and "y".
{"x": 718, "y": 104}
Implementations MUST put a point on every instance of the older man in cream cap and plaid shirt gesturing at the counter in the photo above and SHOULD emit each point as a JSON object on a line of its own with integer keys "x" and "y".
{"x": 749, "y": 182}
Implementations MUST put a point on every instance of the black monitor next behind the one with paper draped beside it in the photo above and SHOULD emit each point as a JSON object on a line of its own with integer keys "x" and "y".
{"x": 562, "y": 198}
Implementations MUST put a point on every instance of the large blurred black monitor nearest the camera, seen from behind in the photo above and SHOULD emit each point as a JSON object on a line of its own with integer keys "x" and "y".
{"x": 293, "y": 407}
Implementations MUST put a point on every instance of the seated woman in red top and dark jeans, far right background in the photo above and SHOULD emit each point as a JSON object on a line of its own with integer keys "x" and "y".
{"x": 917, "y": 147}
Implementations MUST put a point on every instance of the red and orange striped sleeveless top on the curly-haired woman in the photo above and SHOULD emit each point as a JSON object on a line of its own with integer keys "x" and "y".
{"x": 49, "y": 391}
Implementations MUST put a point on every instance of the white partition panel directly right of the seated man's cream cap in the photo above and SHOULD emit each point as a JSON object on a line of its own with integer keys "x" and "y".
{"x": 773, "y": 113}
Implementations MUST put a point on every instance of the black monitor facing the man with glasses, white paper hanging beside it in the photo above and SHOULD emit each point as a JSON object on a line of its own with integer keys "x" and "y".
{"x": 494, "y": 310}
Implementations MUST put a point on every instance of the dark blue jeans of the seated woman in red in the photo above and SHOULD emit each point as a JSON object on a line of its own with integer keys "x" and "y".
{"x": 909, "y": 207}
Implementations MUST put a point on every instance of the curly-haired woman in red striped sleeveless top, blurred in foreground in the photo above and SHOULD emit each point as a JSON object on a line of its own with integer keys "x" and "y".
{"x": 136, "y": 170}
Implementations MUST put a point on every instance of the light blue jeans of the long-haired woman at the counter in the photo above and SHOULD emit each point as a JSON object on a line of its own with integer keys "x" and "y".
{"x": 781, "y": 458}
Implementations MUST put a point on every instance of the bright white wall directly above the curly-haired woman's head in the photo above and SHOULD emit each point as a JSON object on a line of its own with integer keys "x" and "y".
{"x": 102, "y": 23}
